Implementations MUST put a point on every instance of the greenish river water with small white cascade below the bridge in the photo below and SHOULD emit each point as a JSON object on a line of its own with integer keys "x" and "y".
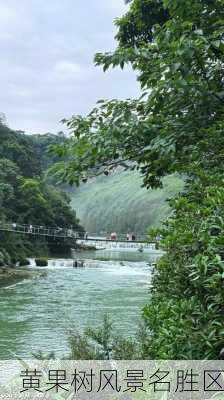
{"x": 38, "y": 314}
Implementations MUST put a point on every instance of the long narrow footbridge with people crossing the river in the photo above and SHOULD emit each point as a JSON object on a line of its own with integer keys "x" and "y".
{"x": 90, "y": 240}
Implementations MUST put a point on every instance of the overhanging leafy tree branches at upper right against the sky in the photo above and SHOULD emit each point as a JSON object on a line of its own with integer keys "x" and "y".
{"x": 177, "y": 123}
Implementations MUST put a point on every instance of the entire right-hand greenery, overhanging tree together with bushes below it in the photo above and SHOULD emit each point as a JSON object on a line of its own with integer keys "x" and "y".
{"x": 176, "y": 126}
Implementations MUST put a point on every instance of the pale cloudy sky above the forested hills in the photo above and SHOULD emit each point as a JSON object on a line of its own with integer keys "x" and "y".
{"x": 47, "y": 70}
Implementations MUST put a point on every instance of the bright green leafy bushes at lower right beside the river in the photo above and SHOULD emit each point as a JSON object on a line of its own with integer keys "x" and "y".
{"x": 185, "y": 314}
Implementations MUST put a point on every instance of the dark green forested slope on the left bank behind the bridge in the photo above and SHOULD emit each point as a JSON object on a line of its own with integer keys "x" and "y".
{"x": 27, "y": 195}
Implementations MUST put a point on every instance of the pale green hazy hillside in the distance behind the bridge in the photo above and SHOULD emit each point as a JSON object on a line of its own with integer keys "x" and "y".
{"x": 118, "y": 202}
